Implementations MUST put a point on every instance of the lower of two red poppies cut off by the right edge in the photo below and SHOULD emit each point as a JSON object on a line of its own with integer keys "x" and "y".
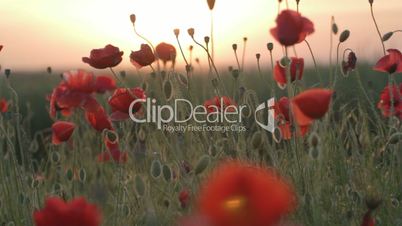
{"x": 385, "y": 101}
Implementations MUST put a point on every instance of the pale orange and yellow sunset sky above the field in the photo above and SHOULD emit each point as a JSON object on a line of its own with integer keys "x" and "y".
{"x": 56, "y": 33}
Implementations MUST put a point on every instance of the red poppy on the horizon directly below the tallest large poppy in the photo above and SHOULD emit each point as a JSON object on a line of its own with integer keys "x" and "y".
{"x": 296, "y": 71}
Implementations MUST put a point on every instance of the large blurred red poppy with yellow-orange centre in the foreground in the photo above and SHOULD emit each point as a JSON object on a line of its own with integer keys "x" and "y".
{"x": 242, "y": 195}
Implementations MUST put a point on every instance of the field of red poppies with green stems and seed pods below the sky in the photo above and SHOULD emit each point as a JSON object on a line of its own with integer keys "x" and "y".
{"x": 102, "y": 147}
